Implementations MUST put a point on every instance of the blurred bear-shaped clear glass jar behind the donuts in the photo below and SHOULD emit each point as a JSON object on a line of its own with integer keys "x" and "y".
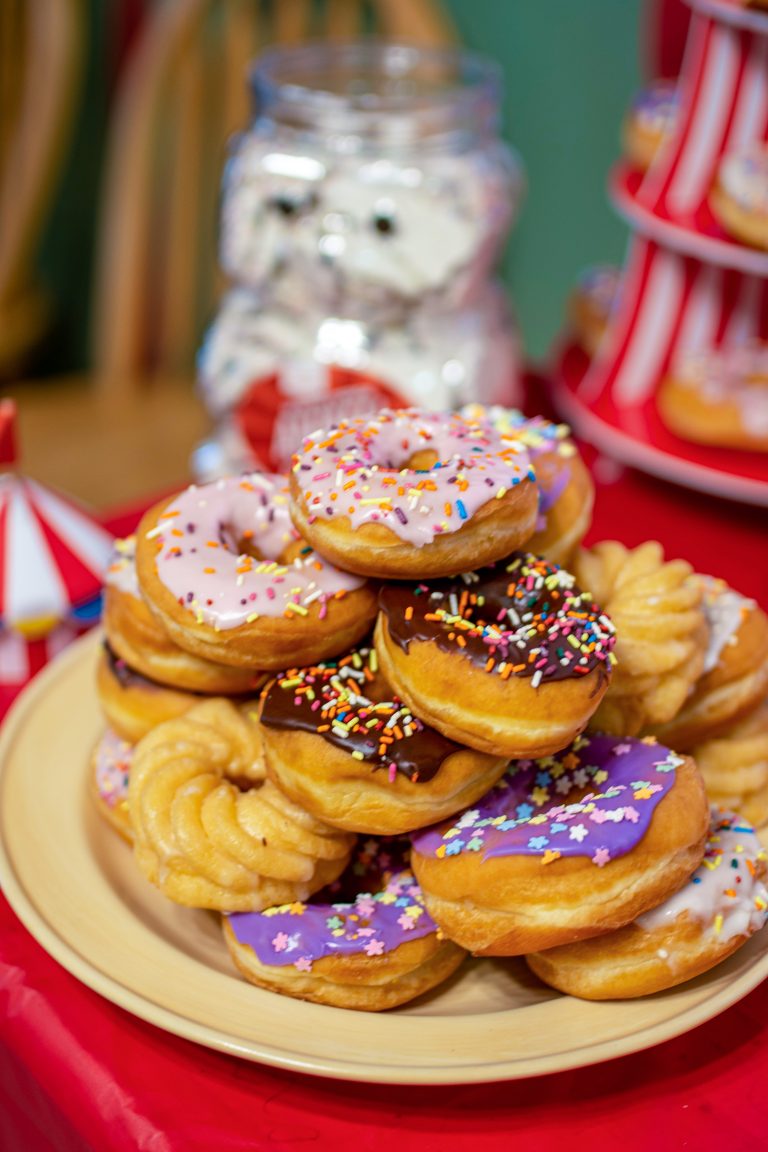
{"x": 363, "y": 214}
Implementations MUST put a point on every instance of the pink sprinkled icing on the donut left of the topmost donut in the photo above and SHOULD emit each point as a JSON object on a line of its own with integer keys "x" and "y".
{"x": 202, "y": 563}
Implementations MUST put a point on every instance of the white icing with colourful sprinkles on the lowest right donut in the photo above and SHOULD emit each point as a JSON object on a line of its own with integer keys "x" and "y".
{"x": 726, "y": 895}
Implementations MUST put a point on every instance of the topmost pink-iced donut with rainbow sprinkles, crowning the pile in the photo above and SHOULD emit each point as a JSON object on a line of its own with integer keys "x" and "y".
{"x": 409, "y": 492}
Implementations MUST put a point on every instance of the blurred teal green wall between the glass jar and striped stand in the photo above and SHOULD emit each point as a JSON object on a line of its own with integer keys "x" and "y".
{"x": 571, "y": 71}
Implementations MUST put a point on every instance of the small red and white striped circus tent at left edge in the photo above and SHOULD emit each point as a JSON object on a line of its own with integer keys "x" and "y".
{"x": 52, "y": 562}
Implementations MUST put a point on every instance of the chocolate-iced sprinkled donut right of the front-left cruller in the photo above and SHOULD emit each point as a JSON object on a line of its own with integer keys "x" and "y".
{"x": 344, "y": 747}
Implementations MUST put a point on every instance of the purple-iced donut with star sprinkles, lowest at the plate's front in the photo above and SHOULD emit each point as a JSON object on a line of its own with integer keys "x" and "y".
{"x": 370, "y": 944}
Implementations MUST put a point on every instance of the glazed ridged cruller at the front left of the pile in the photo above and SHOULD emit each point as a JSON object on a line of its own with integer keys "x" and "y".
{"x": 210, "y": 831}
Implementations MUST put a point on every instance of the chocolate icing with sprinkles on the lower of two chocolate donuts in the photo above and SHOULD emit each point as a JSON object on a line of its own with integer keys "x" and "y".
{"x": 340, "y": 701}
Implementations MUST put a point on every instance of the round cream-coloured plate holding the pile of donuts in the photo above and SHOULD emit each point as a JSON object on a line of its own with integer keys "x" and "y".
{"x": 73, "y": 883}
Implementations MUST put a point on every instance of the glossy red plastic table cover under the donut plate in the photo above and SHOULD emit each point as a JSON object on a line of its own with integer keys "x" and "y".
{"x": 78, "y": 1073}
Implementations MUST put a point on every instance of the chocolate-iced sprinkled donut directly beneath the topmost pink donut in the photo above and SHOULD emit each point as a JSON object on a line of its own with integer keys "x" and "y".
{"x": 512, "y": 660}
